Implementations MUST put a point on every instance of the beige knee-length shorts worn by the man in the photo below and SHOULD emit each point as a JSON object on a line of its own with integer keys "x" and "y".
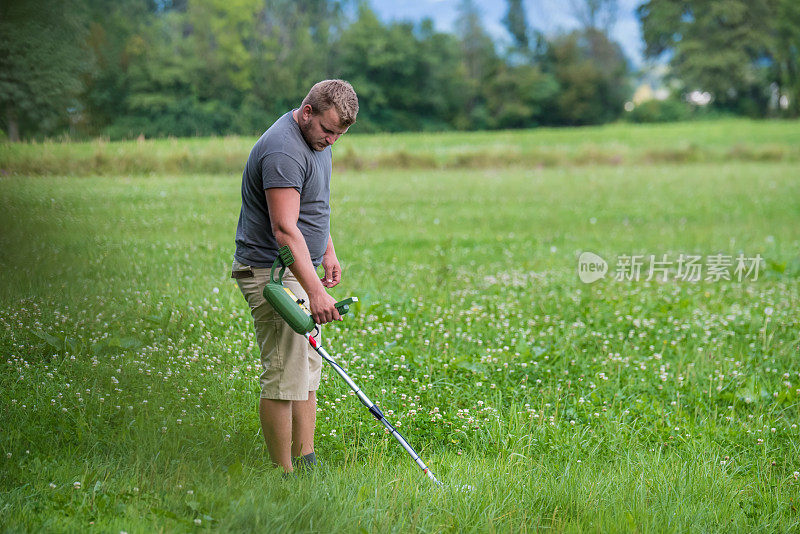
{"x": 290, "y": 367}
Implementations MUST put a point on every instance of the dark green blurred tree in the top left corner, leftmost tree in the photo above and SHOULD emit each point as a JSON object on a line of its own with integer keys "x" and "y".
{"x": 41, "y": 64}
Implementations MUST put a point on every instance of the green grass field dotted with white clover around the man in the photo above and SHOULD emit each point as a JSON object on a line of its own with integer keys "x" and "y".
{"x": 129, "y": 369}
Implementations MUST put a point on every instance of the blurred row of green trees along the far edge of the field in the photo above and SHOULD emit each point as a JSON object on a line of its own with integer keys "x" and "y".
{"x": 126, "y": 68}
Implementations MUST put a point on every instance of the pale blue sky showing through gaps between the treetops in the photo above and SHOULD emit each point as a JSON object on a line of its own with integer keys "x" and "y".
{"x": 549, "y": 16}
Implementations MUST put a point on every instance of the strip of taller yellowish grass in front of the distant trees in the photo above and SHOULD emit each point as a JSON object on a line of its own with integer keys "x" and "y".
{"x": 712, "y": 142}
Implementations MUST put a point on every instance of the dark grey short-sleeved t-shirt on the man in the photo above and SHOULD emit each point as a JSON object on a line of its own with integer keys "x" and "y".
{"x": 282, "y": 158}
